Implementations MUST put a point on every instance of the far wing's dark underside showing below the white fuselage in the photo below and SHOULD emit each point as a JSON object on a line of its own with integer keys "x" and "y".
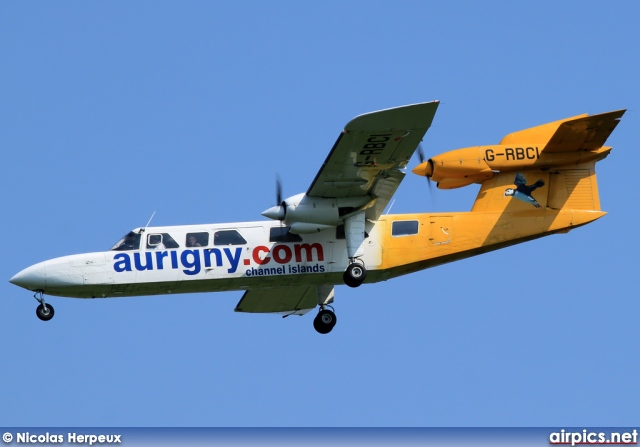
{"x": 289, "y": 300}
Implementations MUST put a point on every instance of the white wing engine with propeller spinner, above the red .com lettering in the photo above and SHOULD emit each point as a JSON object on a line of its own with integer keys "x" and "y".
{"x": 306, "y": 214}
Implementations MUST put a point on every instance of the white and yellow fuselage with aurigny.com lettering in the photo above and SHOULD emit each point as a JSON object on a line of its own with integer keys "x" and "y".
{"x": 396, "y": 245}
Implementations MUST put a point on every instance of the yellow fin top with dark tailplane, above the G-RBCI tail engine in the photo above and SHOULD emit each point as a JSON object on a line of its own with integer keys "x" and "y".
{"x": 582, "y": 132}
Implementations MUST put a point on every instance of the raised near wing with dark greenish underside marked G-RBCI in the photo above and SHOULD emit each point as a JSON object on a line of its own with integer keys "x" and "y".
{"x": 369, "y": 154}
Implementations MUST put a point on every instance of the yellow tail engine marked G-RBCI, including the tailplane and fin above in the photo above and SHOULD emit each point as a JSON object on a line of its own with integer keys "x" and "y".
{"x": 569, "y": 142}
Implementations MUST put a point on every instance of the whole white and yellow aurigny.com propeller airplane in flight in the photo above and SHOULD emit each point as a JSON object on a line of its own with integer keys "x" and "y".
{"x": 536, "y": 182}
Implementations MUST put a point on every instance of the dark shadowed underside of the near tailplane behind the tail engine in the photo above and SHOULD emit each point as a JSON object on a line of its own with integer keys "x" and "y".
{"x": 586, "y": 133}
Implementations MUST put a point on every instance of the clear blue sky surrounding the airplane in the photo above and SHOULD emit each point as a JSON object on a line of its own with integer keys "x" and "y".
{"x": 111, "y": 111}
